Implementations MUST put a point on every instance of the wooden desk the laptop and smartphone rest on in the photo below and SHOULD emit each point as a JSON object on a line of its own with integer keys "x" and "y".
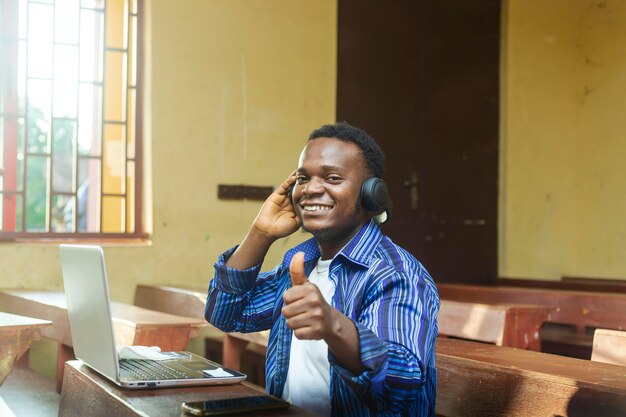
{"x": 87, "y": 394}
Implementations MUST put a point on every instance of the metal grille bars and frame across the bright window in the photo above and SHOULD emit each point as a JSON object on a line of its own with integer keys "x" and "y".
{"x": 127, "y": 218}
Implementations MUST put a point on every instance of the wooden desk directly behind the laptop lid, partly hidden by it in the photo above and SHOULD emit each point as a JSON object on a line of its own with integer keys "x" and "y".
{"x": 132, "y": 325}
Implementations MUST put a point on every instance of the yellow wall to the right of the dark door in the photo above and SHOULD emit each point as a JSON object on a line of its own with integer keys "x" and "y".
{"x": 563, "y": 139}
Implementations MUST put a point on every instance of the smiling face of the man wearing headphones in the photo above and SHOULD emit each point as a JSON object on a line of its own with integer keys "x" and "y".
{"x": 326, "y": 196}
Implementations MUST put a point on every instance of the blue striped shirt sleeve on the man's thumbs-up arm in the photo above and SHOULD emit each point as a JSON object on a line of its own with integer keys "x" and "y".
{"x": 397, "y": 329}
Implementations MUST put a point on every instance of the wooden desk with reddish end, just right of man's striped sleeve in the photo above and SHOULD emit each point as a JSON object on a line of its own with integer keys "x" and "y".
{"x": 512, "y": 325}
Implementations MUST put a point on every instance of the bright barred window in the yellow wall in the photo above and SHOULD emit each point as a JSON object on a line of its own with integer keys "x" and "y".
{"x": 70, "y": 125}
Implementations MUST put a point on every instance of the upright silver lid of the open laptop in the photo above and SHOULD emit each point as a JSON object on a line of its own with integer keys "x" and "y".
{"x": 88, "y": 307}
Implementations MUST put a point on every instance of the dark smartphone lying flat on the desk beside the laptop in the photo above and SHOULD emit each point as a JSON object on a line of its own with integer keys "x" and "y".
{"x": 233, "y": 405}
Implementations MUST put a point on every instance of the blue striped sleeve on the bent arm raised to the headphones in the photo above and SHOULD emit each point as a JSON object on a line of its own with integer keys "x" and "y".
{"x": 241, "y": 300}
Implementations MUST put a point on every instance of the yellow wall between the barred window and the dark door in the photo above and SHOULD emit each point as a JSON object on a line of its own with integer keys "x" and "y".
{"x": 232, "y": 90}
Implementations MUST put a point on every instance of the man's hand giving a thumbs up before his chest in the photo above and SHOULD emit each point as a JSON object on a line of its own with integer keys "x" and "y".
{"x": 306, "y": 311}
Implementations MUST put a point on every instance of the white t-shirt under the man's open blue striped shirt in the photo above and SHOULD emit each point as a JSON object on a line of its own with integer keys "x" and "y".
{"x": 308, "y": 378}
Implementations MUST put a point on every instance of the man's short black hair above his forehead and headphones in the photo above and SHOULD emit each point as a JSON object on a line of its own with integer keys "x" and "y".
{"x": 373, "y": 155}
